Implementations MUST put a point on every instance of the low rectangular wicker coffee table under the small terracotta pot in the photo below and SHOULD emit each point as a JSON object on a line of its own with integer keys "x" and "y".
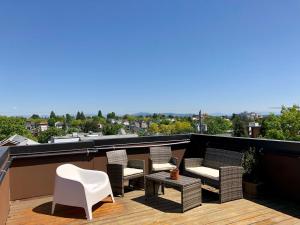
{"x": 190, "y": 188}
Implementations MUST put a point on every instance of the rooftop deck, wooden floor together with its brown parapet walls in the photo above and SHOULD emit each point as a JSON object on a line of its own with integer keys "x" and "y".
{"x": 27, "y": 179}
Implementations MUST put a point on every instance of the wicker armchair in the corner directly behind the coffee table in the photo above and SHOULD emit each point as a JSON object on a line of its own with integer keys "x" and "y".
{"x": 161, "y": 159}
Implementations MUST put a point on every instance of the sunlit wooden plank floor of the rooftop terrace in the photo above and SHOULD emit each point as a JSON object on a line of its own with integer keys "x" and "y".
{"x": 132, "y": 209}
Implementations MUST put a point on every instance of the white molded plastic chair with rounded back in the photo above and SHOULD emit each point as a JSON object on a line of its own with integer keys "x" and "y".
{"x": 80, "y": 188}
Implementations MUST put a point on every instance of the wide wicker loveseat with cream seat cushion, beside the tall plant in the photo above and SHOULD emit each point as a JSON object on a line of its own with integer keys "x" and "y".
{"x": 220, "y": 169}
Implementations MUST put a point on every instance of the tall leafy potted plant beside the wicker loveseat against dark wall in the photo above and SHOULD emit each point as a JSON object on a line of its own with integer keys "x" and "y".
{"x": 252, "y": 182}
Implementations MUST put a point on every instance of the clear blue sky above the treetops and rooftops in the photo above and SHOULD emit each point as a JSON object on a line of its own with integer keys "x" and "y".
{"x": 148, "y": 56}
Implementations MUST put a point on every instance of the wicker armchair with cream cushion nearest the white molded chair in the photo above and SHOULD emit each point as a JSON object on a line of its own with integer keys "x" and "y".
{"x": 121, "y": 170}
